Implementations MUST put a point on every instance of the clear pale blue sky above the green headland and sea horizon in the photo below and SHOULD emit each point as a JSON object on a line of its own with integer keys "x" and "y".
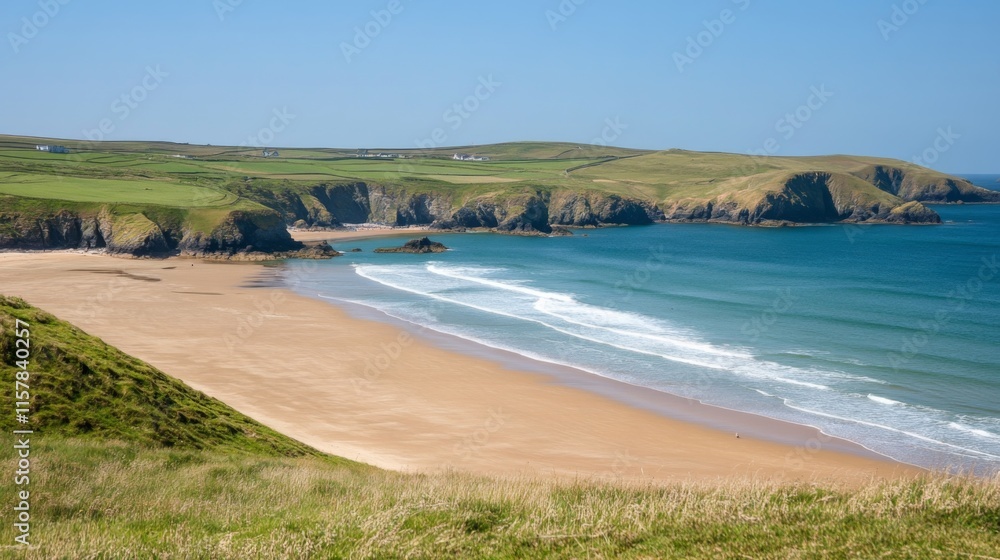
{"x": 916, "y": 80}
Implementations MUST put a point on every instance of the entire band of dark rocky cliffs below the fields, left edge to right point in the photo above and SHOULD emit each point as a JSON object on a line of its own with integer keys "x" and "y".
{"x": 880, "y": 194}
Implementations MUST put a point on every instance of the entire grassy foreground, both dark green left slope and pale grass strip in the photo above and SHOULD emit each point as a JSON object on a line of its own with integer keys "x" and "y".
{"x": 129, "y": 463}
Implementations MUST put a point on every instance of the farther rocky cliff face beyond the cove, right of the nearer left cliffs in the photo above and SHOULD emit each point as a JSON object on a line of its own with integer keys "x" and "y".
{"x": 817, "y": 197}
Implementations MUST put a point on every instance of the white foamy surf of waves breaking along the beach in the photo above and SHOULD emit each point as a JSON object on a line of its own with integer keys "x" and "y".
{"x": 562, "y": 313}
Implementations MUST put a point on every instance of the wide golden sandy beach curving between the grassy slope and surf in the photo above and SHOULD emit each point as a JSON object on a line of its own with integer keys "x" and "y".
{"x": 375, "y": 393}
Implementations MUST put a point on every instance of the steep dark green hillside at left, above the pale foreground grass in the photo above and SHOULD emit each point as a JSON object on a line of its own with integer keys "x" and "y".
{"x": 84, "y": 388}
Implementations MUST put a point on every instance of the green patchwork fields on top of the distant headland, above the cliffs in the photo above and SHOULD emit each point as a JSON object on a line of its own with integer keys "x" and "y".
{"x": 658, "y": 176}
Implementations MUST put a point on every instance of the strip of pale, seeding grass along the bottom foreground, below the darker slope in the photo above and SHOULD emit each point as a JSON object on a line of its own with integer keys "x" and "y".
{"x": 116, "y": 500}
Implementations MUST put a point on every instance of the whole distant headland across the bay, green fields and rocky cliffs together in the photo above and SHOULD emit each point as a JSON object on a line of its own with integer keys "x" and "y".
{"x": 232, "y": 198}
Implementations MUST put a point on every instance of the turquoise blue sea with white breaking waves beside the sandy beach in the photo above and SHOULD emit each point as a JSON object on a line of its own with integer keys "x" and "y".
{"x": 884, "y": 335}
